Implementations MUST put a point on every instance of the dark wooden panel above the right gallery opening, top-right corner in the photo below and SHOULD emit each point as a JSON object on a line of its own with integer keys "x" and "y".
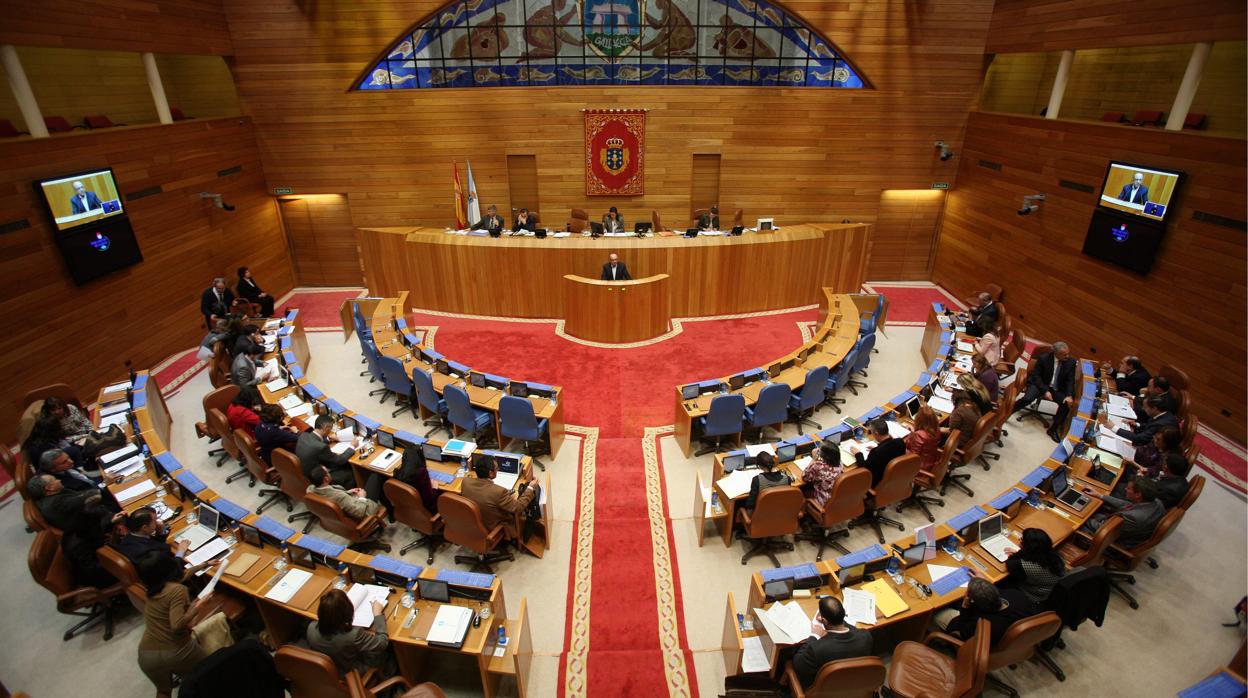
{"x": 1046, "y": 26}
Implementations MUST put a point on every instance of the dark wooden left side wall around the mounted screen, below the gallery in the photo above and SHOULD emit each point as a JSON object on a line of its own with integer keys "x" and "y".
{"x": 62, "y": 333}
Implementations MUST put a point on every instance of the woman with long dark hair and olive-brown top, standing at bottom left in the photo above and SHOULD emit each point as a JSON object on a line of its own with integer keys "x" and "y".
{"x": 168, "y": 646}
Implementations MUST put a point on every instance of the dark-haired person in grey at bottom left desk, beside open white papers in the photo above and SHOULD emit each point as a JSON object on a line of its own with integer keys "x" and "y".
{"x": 351, "y": 649}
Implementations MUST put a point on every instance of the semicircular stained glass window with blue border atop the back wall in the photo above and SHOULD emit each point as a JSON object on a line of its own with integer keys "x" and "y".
{"x": 550, "y": 43}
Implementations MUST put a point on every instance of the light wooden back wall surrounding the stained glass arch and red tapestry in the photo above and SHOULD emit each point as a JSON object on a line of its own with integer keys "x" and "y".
{"x": 802, "y": 155}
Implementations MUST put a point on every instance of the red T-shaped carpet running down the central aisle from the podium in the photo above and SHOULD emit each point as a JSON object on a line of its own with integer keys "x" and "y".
{"x": 622, "y": 393}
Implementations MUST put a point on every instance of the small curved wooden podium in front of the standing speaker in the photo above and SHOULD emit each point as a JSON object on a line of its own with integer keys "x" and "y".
{"x": 616, "y": 312}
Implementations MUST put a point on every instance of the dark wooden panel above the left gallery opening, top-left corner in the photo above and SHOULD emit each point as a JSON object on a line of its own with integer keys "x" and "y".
{"x": 185, "y": 27}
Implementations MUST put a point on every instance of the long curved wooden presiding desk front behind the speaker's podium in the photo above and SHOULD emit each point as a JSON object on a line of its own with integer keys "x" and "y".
{"x": 524, "y": 277}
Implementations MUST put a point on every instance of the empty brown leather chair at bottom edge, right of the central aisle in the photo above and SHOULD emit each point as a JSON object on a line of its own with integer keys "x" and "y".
{"x": 919, "y": 671}
